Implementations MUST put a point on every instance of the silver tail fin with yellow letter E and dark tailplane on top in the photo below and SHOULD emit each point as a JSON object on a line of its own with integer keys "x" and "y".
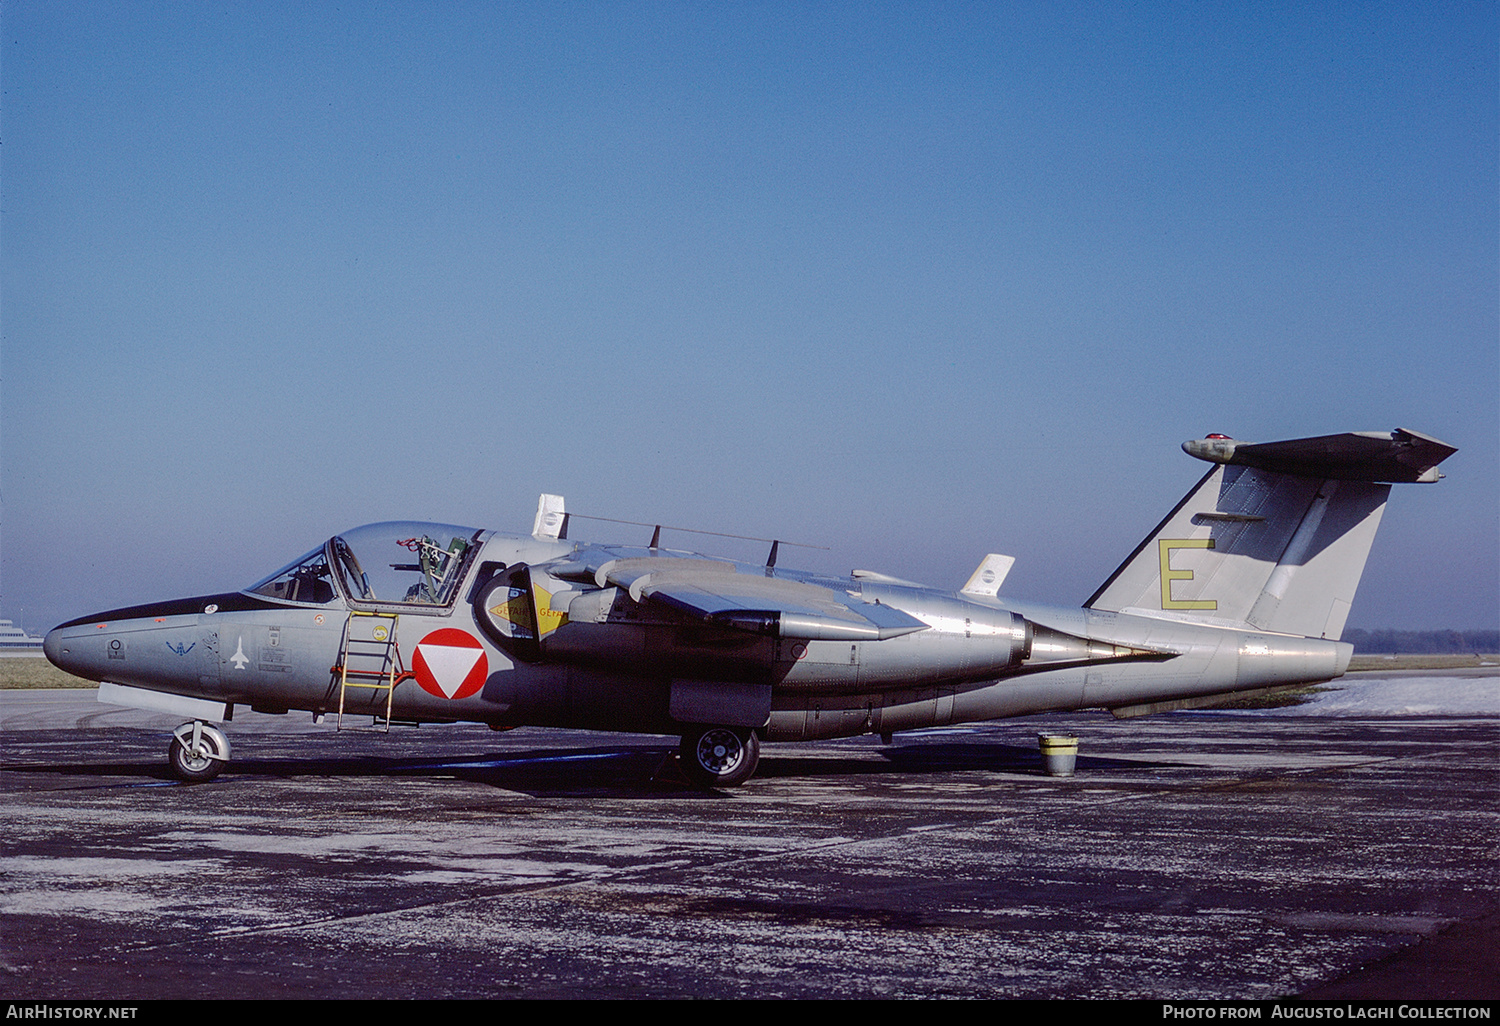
{"x": 1276, "y": 538}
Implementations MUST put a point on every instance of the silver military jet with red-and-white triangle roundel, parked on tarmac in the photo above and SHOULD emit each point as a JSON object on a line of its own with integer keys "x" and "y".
{"x": 1246, "y": 584}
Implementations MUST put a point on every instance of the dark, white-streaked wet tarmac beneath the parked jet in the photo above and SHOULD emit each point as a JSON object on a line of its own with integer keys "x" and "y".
{"x": 1207, "y": 856}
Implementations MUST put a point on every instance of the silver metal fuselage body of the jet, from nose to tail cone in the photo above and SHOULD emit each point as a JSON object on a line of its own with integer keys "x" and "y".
{"x": 973, "y": 662}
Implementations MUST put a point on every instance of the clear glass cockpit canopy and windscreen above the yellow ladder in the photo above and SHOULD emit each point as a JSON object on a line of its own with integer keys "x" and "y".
{"x": 398, "y": 563}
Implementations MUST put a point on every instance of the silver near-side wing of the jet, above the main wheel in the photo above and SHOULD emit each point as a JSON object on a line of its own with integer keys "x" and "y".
{"x": 716, "y": 593}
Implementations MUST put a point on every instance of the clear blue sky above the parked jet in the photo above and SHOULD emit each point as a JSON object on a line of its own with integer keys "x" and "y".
{"x": 914, "y": 283}
